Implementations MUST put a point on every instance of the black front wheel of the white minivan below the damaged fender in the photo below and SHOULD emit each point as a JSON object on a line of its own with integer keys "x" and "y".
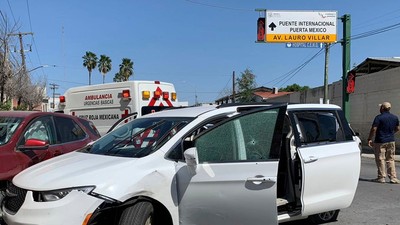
{"x": 139, "y": 214}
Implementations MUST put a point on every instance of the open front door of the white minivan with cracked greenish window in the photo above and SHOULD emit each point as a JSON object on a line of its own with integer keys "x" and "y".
{"x": 235, "y": 177}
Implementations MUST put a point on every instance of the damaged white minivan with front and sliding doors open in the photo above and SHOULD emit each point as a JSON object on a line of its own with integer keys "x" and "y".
{"x": 220, "y": 165}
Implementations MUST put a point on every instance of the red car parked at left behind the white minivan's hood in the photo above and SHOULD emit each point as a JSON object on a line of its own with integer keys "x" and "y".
{"x": 27, "y": 138}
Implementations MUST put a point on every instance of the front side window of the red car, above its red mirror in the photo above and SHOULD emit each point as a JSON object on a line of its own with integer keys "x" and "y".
{"x": 40, "y": 128}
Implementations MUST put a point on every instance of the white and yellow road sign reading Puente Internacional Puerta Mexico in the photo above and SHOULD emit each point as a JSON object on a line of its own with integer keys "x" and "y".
{"x": 301, "y": 26}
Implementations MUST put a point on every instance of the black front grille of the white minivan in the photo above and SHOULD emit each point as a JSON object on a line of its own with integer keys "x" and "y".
{"x": 14, "y": 199}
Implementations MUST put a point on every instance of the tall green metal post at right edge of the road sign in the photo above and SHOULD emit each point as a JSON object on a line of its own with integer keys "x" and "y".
{"x": 346, "y": 64}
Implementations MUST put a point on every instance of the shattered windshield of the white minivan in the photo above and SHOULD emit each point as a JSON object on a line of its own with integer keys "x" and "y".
{"x": 138, "y": 138}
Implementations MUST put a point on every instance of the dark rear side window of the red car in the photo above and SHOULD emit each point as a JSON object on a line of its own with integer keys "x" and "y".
{"x": 68, "y": 130}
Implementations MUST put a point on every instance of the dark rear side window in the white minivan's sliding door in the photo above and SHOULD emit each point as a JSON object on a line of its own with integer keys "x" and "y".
{"x": 318, "y": 127}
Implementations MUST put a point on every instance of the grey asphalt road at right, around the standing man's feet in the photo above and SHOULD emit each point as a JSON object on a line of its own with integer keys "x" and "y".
{"x": 374, "y": 203}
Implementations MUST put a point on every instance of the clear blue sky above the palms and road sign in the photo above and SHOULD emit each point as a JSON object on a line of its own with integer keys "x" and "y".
{"x": 194, "y": 44}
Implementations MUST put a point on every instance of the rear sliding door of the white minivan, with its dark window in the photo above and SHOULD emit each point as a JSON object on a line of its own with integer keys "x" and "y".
{"x": 330, "y": 160}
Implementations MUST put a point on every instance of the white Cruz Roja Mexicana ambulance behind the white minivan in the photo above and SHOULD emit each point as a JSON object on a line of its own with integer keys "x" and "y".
{"x": 106, "y": 104}
